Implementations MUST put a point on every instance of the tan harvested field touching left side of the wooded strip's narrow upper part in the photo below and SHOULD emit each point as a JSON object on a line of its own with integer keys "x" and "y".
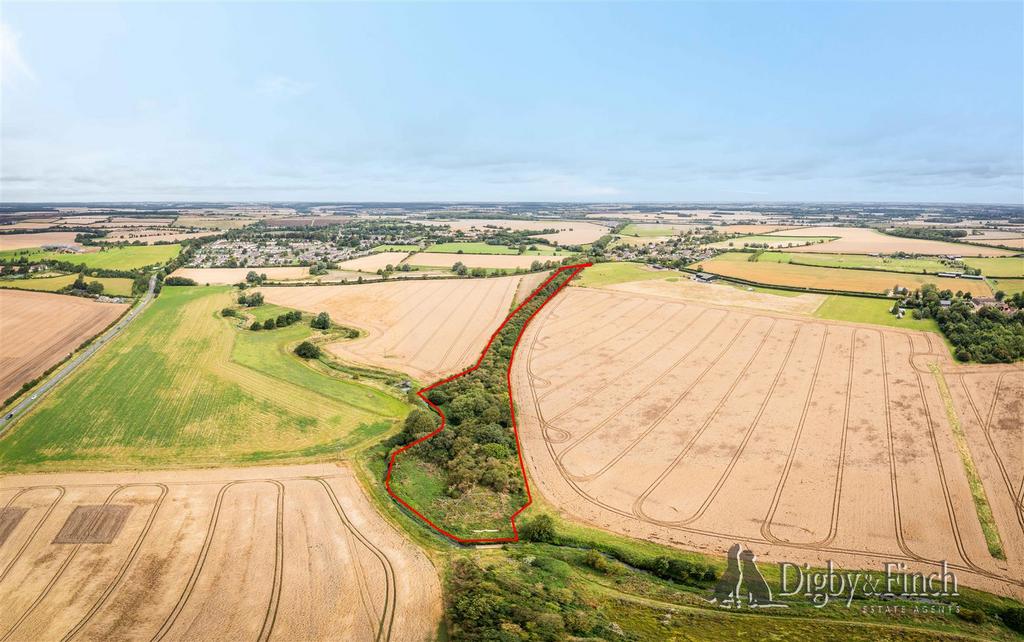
{"x": 425, "y": 328}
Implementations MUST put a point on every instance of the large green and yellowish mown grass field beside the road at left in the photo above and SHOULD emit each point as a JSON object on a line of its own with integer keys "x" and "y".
{"x": 184, "y": 387}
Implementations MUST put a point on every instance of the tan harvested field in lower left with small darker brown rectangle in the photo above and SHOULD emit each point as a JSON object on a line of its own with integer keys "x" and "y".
{"x": 286, "y": 553}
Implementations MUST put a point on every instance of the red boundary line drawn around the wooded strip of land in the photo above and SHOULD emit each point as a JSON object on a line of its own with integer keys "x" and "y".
{"x": 516, "y": 430}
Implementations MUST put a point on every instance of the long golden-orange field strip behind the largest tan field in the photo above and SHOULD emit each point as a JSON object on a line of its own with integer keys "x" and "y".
{"x": 835, "y": 278}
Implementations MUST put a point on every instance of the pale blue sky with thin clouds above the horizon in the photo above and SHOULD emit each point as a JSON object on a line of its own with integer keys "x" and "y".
{"x": 724, "y": 102}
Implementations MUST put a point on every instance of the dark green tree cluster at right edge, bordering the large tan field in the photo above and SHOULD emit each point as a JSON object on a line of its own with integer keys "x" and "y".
{"x": 988, "y": 335}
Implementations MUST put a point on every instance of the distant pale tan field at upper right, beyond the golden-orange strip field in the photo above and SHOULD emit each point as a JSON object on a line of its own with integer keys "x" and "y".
{"x": 865, "y": 241}
